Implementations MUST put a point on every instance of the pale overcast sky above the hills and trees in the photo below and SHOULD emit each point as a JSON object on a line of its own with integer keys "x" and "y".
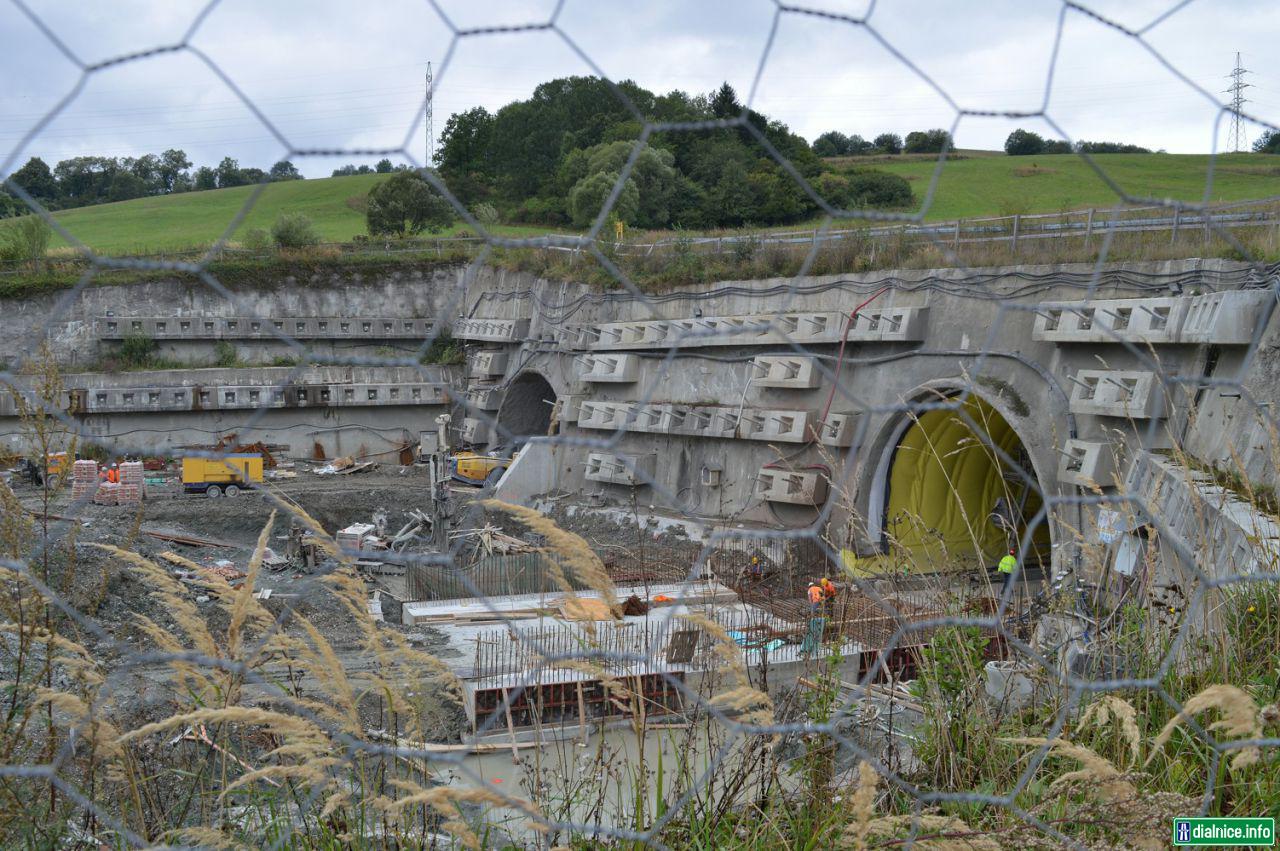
{"x": 342, "y": 75}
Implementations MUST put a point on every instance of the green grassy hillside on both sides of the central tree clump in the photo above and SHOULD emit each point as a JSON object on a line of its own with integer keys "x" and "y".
{"x": 980, "y": 185}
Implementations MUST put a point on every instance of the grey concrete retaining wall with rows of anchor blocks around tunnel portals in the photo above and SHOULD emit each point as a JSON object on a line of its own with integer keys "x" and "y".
{"x": 762, "y": 405}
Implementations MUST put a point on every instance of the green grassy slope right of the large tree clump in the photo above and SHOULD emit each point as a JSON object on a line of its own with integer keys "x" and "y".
{"x": 993, "y": 186}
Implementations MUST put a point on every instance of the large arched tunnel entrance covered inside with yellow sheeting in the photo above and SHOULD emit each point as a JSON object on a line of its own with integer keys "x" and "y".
{"x": 944, "y": 500}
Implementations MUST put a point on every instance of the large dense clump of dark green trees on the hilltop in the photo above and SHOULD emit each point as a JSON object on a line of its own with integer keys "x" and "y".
{"x": 556, "y": 159}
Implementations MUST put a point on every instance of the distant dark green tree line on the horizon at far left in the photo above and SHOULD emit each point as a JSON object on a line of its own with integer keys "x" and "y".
{"x": 85, "y": 181}
